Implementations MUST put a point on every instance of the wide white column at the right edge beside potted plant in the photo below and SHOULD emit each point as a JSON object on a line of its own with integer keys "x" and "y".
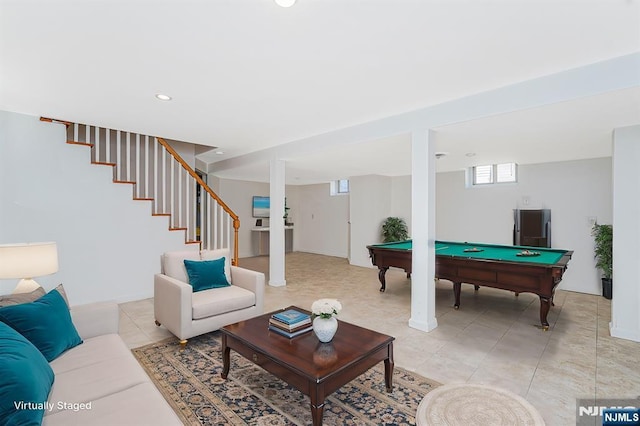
{"x": 625, "y": 315}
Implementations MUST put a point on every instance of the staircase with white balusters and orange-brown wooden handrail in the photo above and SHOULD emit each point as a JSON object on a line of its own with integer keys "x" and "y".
{"x": 159, "y": 175}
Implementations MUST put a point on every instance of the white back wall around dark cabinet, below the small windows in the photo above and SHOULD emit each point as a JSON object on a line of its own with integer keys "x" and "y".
{"x": 574, "y": 191}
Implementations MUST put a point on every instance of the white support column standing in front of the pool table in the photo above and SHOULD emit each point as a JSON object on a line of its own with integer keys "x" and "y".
{"x": 423, "y": 230}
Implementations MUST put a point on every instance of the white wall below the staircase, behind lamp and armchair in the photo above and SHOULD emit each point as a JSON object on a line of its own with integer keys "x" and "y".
{"x": 109, "y": 246}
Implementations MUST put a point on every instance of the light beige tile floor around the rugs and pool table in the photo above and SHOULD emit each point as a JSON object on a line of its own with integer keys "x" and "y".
{"x": 493, "y": 338}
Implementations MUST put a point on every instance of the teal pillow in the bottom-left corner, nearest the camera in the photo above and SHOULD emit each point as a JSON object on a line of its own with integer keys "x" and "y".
{"x": 25, "y": 380}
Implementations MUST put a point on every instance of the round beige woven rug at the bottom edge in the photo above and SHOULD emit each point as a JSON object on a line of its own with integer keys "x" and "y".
{"x": 472, "y": 404}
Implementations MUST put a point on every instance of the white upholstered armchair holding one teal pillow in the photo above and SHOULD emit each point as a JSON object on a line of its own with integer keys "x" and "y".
{"x": 186, "y": 313}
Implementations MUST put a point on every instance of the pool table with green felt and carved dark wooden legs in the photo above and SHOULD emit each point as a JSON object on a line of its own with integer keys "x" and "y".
{"x": 516, "y": 268}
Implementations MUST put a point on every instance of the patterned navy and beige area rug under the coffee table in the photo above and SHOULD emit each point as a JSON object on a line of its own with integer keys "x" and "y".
{"x": 190, "y": 380}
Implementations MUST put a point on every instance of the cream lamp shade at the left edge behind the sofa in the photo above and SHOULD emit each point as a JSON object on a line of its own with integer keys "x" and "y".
{"x": 28, "y": 260}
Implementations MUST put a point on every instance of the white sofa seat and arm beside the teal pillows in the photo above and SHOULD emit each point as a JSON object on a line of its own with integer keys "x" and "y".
{"x": 99, "y": 382}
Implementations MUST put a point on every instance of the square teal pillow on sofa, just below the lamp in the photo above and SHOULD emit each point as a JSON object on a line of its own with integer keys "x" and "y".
{"x": 45, "y": 322}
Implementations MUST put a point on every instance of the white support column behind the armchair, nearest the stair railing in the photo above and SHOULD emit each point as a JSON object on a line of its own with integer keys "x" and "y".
{"x": 276, "y": 223}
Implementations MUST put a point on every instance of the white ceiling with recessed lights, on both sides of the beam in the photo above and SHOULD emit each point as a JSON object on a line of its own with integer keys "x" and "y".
{"x": 248, "y": 76}
